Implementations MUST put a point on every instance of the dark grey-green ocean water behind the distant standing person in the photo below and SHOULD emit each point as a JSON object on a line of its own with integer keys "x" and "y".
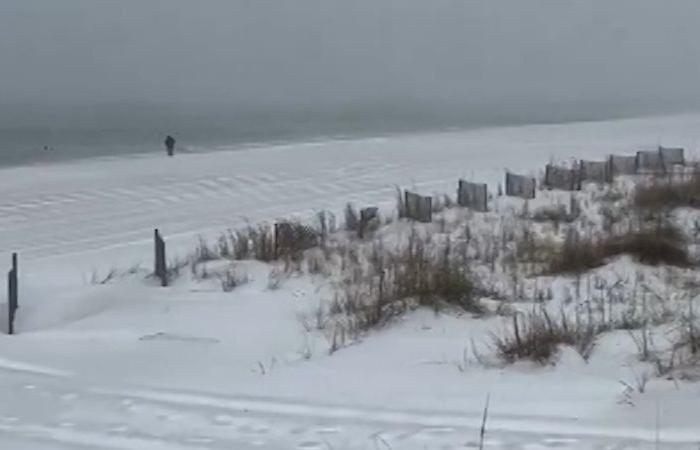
{"x": 31, "y": 134}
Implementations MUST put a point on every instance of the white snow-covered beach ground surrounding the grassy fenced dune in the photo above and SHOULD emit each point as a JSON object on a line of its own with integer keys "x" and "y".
{"x": 127, "y": 365}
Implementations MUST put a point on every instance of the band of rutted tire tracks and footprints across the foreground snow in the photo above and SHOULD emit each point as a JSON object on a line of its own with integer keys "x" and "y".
{"x": 138, "y": 419}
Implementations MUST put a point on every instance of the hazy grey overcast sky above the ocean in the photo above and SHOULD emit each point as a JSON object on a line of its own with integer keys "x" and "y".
{"x": 316, "y": 52}
